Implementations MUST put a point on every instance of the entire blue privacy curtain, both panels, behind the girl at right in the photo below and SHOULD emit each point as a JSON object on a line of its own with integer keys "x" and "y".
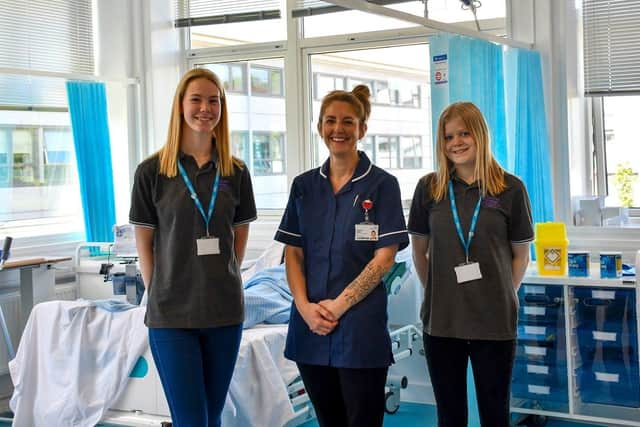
{"x": 507, "y": 87}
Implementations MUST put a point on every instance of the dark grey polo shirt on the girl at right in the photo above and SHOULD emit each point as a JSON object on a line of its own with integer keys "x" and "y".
{"x": 481, "y": 309}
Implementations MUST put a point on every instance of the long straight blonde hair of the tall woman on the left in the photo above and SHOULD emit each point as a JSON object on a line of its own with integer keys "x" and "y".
{"x": 168, "y": 154}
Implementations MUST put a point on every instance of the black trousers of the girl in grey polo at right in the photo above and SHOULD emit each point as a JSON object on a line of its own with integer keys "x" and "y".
{"x": 492, "y": 364}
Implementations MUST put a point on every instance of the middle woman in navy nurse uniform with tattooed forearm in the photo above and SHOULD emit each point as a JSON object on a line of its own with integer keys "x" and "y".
{"x": 342, "y": 228}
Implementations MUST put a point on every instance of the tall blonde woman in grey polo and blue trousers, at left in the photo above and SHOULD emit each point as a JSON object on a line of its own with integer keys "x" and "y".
{"x": 191, "y": 204}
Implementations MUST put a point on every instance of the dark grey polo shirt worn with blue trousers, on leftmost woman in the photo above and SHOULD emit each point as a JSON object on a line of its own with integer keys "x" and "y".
{"x": 187, "y": 290}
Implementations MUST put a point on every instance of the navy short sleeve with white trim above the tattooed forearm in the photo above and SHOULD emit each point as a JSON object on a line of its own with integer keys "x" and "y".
{"x": 390, "y": 217}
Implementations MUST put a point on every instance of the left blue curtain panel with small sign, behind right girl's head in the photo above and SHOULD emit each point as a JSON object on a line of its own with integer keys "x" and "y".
{"x": 468, "y": 69}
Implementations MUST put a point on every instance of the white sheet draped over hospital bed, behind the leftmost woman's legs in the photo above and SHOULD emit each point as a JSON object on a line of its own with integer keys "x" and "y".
{"x": 74, "y": 361}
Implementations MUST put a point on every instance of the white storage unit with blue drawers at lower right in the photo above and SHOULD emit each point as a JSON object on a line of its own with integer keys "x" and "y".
{"x": 585, "y": 317}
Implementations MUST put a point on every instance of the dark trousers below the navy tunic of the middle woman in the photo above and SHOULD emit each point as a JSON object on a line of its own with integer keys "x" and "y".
{"x": 345, "y": 397}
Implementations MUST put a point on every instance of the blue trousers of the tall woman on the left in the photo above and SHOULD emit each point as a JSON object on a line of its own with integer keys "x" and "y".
{"x": 195, "y": 368}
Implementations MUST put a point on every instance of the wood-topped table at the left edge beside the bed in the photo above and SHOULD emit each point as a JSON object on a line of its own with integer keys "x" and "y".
{"x": 37, "y": 281}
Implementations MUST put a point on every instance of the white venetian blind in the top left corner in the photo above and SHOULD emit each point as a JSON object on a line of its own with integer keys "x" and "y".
{"x": 40, "y": 37}
